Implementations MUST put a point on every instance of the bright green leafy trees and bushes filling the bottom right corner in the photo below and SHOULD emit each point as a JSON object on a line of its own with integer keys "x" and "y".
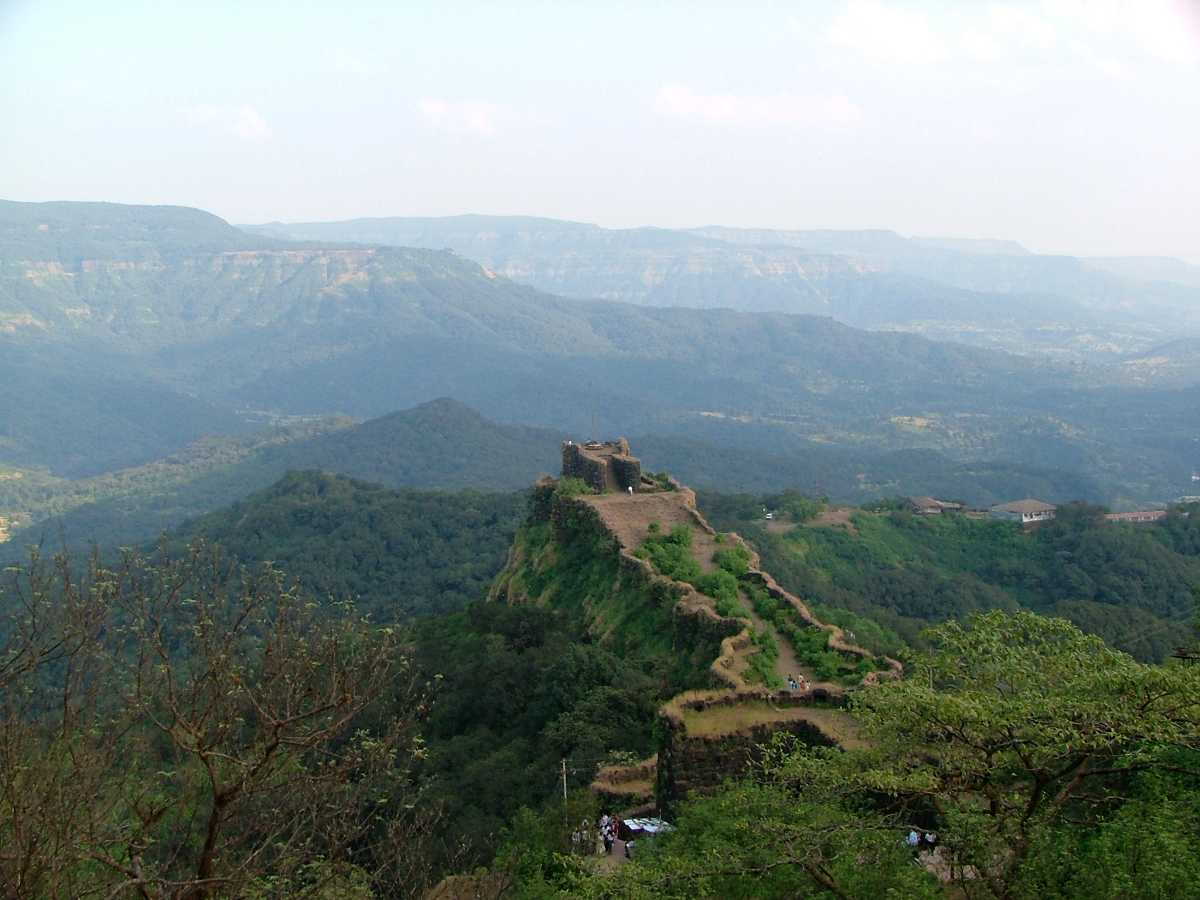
{"x": 1048, "y": 766}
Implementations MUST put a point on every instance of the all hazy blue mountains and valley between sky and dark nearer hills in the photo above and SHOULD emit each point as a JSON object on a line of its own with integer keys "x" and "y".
{"x": 159, "y": 327}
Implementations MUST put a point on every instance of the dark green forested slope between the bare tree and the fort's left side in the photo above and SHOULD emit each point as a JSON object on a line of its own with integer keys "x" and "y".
{"x": 517, "y": 687}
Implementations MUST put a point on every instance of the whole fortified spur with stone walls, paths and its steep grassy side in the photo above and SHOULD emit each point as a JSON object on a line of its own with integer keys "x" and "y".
{"x": 584, "y": 548}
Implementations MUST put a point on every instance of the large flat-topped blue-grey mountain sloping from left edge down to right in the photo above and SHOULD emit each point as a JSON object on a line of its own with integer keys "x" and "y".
{"x": 160, "y": 326}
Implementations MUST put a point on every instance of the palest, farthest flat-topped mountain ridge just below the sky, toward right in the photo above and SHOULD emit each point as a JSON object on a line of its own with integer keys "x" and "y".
{"x": 983, "y": 292}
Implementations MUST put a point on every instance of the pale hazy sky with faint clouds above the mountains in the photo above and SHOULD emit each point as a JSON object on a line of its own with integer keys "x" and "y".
{"x": 1072, "y": 127}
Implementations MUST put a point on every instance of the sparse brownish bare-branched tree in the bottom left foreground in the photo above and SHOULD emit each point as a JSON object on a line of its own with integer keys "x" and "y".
{"x": 188, "y": 729}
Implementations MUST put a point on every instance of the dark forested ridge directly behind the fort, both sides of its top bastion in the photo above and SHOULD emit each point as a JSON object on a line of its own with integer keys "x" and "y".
{"x": 446, "y": 445}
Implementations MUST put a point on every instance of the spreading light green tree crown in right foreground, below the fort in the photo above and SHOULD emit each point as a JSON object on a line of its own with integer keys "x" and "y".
{"x": 1010, "y": 729}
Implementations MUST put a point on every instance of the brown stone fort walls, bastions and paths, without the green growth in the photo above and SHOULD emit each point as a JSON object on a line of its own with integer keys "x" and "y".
{"x": 712, "y": 733}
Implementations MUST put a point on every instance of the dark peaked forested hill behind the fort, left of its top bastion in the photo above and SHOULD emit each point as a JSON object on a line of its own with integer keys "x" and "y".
{"x": 441, "y": 445}
